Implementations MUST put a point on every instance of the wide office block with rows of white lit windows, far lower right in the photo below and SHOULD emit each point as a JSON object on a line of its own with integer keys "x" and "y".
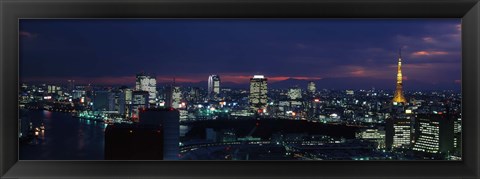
{"x": 435, "y": 133}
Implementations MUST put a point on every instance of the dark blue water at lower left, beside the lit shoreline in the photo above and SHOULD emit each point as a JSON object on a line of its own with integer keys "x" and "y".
{"x": 64, "y": 138}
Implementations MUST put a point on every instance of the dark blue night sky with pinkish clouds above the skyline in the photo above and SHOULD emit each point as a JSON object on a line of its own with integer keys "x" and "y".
{"x": 111, "y": 52}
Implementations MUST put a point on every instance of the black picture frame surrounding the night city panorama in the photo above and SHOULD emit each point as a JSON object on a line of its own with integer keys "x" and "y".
{"x": 12, "y": 10}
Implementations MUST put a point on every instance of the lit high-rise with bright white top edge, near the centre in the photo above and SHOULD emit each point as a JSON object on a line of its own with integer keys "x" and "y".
{"x": 258, "y": 93}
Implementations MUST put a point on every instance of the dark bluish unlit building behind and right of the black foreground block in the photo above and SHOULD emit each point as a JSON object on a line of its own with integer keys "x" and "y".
{"x": 169, "y": 119}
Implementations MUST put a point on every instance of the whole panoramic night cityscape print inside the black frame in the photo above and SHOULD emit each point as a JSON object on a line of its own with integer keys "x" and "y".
{"x": 308, "y": 91}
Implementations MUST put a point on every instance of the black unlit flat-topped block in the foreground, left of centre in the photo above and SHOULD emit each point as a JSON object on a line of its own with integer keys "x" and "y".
{"x": 133, "y": 142}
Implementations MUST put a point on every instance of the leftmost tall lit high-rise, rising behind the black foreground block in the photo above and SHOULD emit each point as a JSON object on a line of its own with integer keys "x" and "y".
{"x": 147, "y": 83}
